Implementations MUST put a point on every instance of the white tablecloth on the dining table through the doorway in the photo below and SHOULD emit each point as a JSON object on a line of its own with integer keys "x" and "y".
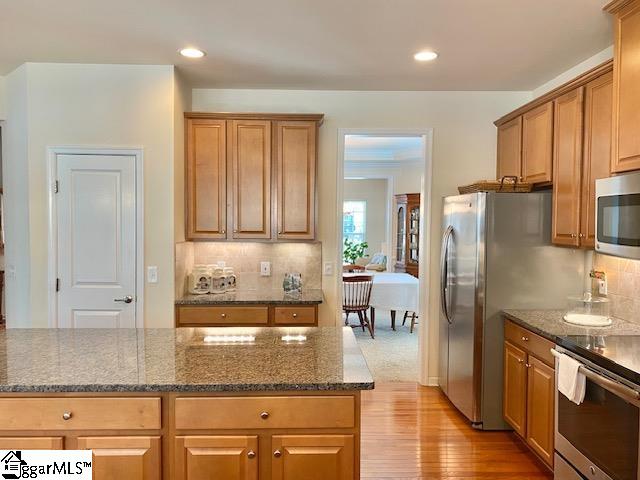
{"x": 394, "y": 291}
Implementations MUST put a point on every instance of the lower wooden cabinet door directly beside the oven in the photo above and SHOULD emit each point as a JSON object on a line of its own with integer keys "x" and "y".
{"x": 540, "y": 402}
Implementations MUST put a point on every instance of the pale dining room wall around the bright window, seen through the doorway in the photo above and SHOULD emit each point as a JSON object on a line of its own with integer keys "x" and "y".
{"x": 374, "y": 192}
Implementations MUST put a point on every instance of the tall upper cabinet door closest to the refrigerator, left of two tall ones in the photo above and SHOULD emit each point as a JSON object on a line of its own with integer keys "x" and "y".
{"x": 567, "y": 162}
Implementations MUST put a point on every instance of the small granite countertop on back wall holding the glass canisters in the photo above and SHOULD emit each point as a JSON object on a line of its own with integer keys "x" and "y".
{"x": 277, "y": 297}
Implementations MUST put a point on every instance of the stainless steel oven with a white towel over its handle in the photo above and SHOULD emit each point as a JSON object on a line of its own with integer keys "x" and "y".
{"x": 600, "y": 437}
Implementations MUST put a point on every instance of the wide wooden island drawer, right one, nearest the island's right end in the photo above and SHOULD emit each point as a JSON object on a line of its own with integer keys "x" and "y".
{"x": 265, "y": 412}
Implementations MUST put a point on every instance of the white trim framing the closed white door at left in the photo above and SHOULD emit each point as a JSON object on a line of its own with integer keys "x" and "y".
{"x": 52, "y": 245}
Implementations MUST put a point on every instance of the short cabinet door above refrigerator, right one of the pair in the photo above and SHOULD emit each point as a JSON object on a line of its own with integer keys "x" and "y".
{"x": 537, "y": 143}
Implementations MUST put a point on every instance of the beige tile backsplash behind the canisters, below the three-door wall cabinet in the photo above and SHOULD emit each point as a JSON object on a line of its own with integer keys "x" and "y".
{"x": 245, "y": 258}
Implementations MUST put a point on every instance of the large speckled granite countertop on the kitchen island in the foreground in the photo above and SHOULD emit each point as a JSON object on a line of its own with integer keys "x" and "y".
{"x": 181, "y": 360}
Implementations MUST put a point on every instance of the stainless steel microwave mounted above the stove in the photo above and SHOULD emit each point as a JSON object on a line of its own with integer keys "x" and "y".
{"x": 618, "y": 215}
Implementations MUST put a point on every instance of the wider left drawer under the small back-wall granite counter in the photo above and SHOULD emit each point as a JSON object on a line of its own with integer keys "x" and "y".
{"x": 223, "y": 315}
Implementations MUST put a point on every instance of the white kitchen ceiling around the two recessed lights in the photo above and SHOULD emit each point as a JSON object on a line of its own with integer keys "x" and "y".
{"x": 316, "y": 44}
